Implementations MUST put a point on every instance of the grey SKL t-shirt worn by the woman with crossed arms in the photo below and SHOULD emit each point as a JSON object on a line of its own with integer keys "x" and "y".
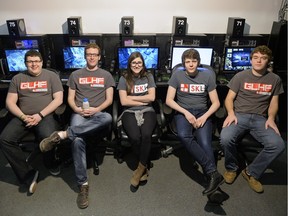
{"x": 141, "y": 86}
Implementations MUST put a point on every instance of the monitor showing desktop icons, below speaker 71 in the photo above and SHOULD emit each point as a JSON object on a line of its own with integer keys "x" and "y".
{"x": 237, "y": 59}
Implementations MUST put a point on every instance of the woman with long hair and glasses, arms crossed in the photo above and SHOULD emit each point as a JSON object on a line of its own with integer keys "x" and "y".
{"x": 137, "y": 92}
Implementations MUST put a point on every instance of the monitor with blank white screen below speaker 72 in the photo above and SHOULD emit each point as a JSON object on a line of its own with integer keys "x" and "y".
{"x": 206, "y": 54}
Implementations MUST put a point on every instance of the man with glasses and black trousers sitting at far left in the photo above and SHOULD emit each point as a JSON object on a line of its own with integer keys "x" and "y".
{"x": 32, "y": 98}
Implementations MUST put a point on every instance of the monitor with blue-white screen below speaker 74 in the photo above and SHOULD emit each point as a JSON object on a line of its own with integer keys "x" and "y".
{"x": 74, "y": 57}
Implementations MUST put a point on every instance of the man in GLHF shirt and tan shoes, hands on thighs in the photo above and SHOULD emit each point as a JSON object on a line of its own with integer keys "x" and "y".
{"x": 252, "y": 105}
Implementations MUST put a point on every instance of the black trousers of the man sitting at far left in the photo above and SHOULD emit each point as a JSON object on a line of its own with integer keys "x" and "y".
{"x": 12, "y": 135}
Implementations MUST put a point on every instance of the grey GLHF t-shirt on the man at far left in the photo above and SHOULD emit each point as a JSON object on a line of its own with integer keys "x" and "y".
{"x": 35, "y": 92}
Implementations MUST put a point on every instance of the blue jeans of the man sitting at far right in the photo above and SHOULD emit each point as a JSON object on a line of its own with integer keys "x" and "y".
{"x": 272, "y": 142}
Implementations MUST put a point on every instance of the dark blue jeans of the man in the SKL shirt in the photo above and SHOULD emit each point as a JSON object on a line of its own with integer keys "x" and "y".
{"x": 197, "y": 141}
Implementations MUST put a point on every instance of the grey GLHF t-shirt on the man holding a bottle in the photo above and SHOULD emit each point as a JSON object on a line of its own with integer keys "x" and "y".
{"x": 91, "y": 85}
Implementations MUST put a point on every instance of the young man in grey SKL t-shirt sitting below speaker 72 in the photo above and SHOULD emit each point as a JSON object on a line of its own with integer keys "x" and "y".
{"x": 192, "y": 89}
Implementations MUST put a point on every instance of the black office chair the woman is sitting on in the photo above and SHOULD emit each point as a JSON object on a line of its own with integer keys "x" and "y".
{"x": 121, "y": 139}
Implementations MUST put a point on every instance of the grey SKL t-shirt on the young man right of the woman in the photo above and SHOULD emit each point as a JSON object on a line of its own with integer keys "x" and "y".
{"x": 192, "y": 92}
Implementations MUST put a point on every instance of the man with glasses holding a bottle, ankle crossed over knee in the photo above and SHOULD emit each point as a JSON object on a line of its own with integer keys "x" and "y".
{"x": 96, "y": 85}
